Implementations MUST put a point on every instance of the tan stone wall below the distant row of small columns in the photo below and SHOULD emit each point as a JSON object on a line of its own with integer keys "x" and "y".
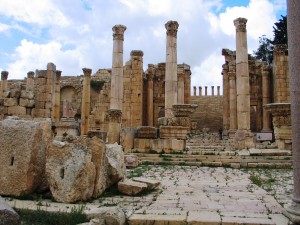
{"x": 209, "y": 113}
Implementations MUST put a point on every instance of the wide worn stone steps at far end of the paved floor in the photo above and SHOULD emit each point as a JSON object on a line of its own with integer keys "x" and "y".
{"x": 208, "y": 150}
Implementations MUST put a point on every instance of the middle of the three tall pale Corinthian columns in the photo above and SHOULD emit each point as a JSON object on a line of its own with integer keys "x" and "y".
{"x": 171, "y": 68}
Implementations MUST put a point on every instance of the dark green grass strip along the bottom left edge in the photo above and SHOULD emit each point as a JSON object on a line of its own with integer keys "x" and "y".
{"x": 40, "y": 217}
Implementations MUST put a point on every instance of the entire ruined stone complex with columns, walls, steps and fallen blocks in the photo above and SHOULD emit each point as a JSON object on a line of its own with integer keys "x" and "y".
{"x": 75, "y": 135}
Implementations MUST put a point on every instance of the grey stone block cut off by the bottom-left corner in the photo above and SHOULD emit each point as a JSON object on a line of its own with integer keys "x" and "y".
{"x": 7, "y": 214}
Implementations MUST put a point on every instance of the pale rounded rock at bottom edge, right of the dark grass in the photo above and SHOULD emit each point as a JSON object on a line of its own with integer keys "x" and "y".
{"x": 108, "y": 215}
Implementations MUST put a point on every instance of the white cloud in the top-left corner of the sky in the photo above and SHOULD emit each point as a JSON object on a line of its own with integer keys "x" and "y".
{"x": 41, "y": 12}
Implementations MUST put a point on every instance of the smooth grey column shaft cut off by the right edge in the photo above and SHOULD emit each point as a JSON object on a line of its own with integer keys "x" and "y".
{"x": 293, "y": 24}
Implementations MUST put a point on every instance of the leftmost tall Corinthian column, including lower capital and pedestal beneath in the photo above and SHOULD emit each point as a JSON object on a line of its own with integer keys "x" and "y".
{"x": 116, "y": 92}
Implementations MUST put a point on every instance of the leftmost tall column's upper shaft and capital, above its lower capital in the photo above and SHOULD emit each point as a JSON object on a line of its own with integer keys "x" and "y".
{"x": 116, "y": 95}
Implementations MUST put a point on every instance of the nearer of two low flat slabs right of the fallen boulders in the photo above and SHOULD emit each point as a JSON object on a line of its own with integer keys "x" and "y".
{"x": 129, "y": 187}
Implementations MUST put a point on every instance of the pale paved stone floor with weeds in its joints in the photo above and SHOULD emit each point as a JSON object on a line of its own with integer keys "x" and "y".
{"x": 199, "y": 195}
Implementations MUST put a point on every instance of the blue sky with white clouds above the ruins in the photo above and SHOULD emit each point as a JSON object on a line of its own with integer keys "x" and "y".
{"x": 78, "y": 33}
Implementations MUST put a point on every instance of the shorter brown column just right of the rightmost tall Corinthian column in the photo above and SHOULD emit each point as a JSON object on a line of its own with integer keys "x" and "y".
{"x": 266, "y": 98}
